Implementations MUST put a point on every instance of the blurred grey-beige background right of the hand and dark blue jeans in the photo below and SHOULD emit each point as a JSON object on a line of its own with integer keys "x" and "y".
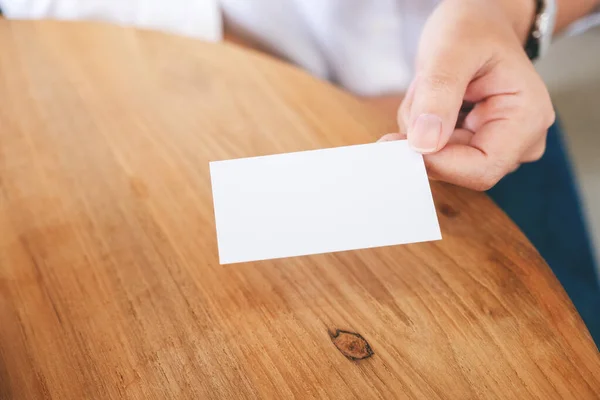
{"x": 572, "y": 72}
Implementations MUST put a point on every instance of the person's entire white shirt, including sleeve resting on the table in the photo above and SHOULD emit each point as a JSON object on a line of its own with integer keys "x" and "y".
{"x": 366, "y": 46}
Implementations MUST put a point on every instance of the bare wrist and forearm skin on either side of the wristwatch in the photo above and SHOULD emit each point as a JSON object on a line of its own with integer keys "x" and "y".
{"x": 521, "y": 13}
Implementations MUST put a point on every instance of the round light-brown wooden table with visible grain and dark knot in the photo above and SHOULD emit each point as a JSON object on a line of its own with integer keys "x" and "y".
{"x": 110, "y": 286}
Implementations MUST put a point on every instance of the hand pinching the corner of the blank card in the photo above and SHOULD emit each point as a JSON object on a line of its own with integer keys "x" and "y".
{"x": 471, "y": 52}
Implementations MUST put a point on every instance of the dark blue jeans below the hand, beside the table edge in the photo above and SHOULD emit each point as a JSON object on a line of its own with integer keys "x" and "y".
{"x": 542, "y": 199}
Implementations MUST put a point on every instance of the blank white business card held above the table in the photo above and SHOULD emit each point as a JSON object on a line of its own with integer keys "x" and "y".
{"x": 322, "y": 201}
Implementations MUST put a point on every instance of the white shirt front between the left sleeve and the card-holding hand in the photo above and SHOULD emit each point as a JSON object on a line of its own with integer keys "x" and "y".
{"x": 366, "y": 46}
